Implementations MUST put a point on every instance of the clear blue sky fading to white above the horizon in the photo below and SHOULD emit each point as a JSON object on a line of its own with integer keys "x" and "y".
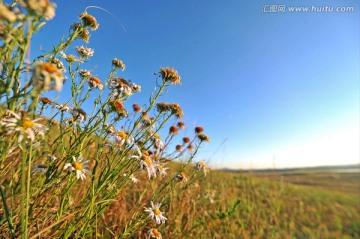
{"x": 271, "y": 89}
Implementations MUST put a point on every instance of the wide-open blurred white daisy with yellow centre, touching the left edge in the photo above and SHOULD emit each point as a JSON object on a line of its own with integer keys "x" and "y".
{"x": 24, "y": 125}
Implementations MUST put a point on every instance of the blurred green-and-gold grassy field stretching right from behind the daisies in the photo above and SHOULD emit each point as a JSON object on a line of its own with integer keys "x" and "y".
{"x": 230, "y": 205}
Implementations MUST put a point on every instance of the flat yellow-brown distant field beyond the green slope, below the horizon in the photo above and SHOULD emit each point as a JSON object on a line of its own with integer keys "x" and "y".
{"x": 341, "y": 181}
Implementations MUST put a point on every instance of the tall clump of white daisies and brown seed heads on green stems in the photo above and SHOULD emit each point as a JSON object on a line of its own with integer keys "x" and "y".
{"x": 64, "y": 161}
